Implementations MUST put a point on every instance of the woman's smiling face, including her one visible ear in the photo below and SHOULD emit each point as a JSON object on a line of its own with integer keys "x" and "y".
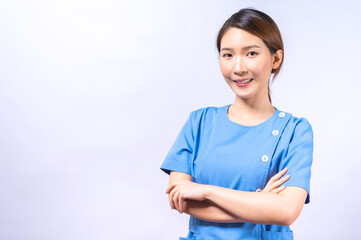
{"x": 246, "y": 64}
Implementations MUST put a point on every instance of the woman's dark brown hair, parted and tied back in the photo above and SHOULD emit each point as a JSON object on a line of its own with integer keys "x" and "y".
{"x": 259, "y": 24}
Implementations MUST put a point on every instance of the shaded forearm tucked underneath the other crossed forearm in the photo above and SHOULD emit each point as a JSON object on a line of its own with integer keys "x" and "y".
{"x": 208, "y": 211}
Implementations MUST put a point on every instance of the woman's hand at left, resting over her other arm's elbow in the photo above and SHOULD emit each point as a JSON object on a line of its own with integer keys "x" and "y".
{"x": 180, "y": 191}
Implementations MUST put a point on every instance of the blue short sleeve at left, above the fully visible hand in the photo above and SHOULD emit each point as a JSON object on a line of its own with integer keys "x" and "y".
{"x": 179, "y": 157}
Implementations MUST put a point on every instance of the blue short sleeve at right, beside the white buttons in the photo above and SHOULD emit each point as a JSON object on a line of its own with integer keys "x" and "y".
{"x": 299, "y": 157}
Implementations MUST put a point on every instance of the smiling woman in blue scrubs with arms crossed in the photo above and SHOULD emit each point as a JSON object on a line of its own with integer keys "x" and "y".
{"x": 224, "y": 154}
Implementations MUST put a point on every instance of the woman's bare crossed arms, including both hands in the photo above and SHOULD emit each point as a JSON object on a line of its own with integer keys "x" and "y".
{"x": 272, "y": 205}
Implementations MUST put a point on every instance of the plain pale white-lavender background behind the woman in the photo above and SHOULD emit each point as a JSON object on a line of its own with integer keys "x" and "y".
{"x": 94, "y": 92}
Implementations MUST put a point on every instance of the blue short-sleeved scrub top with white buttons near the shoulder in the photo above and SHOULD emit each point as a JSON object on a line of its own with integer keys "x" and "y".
{"x": 216, "y": 151}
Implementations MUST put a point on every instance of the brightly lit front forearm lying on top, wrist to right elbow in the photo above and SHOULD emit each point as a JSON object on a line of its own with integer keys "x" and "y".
{"x": 256, "y": 207}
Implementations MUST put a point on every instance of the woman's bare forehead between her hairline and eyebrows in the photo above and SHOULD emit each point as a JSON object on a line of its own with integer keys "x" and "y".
{"x": 236, "y": 37}
